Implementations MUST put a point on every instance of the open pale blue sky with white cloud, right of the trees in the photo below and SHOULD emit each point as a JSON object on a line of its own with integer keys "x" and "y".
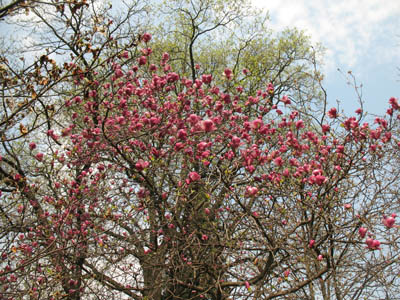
{"x": 361, "y": 36}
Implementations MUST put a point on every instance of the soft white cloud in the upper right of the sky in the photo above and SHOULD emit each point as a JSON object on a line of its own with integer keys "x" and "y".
{"x": 354, "y": 31}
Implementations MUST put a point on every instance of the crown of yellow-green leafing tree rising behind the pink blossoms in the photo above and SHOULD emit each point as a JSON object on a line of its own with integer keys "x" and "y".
{"x": 207, "y": 36}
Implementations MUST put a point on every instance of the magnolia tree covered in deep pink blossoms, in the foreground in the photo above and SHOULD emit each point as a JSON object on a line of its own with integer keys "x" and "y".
{"x": 155, "y": 186}
